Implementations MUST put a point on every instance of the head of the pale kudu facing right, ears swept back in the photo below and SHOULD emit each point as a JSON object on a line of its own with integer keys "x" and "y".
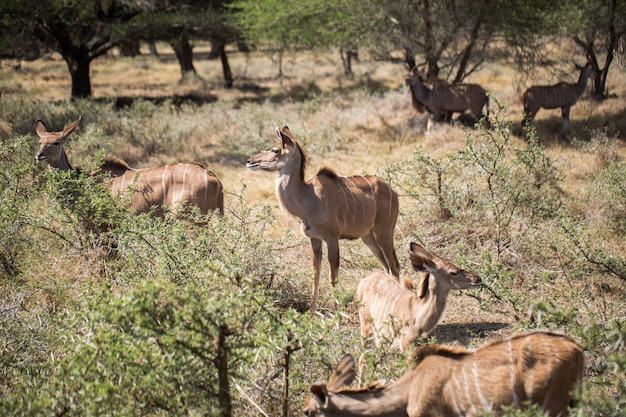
{"x": 446, "y": 274}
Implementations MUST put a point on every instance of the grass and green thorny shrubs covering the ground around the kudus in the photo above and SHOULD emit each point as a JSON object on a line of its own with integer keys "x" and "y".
{"x": 210, "y": 317}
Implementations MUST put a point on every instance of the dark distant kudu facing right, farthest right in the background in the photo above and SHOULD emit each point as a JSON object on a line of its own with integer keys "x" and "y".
{"x": 563, "y": 95}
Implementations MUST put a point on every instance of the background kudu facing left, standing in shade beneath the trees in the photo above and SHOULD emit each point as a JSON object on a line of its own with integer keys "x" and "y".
{"x": 444, "y": 97}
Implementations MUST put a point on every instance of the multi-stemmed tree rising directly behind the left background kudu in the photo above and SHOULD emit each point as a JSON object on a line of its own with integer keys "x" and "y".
{"x": 455, "y": 37}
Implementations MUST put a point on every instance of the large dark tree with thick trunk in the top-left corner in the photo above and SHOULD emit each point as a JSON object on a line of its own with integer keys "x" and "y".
{"x": 80, "y": 31}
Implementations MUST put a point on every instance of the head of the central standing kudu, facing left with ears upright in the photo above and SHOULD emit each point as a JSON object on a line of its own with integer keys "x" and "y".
{"x": 284, "y": 153}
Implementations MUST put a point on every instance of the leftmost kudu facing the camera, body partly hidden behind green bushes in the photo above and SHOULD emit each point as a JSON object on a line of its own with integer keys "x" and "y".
{"x": 158, "y": 188}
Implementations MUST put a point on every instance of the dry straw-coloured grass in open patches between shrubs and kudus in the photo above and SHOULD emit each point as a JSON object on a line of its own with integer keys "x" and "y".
{"x": 355, "y": 126}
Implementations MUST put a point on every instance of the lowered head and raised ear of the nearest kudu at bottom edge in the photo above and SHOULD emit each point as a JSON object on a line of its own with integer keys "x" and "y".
{"x": 319, "y": 393}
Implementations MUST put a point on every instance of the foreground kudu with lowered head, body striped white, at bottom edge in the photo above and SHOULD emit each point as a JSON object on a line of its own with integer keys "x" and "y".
{"x": 541, "y": 368}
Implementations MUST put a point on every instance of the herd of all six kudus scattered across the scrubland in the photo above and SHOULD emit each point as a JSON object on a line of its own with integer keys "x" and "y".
{"x": 539, "y": 368}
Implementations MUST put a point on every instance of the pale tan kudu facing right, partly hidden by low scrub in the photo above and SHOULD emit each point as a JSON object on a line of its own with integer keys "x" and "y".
{"x": 394, "y": 310}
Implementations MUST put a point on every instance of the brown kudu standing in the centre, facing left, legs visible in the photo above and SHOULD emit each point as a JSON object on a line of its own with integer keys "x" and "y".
{"x": 331, "y": 207}
